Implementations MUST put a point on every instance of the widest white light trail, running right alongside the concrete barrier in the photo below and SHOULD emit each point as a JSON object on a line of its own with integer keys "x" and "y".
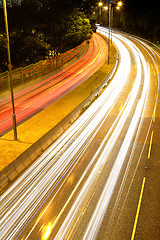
{"x": 19, "y": 203}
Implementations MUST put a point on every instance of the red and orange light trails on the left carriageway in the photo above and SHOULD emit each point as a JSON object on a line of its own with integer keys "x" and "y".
{"x": 53, "y": 88}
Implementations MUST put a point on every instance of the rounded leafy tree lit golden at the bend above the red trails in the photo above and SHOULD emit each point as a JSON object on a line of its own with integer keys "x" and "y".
{"x": 69, "y": 32}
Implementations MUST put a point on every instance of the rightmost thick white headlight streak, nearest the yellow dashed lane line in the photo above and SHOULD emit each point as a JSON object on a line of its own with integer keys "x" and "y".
{"x": 102, "y": 205}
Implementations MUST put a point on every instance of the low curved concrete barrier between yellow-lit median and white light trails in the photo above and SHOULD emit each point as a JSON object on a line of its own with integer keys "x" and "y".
{"x": 14, "y": 169}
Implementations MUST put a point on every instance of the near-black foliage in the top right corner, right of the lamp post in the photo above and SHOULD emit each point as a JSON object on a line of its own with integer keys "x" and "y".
{"x": 138, "y": 17}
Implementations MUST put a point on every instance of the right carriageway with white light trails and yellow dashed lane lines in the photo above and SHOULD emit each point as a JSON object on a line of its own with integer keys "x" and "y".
{"x": 100, "y": 179}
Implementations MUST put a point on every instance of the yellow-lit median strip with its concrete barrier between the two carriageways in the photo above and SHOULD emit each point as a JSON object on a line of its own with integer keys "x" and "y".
{"x": 39, "y": 132}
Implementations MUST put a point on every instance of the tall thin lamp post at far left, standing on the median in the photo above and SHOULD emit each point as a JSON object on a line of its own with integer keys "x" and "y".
{"x": 10, "y": 71}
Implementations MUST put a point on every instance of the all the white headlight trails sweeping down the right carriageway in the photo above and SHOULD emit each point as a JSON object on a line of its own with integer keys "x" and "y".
{"x": 46, "y": 177}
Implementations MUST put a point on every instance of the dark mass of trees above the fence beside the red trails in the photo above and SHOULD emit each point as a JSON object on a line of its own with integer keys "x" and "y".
{"x": 39, "y": 26}
